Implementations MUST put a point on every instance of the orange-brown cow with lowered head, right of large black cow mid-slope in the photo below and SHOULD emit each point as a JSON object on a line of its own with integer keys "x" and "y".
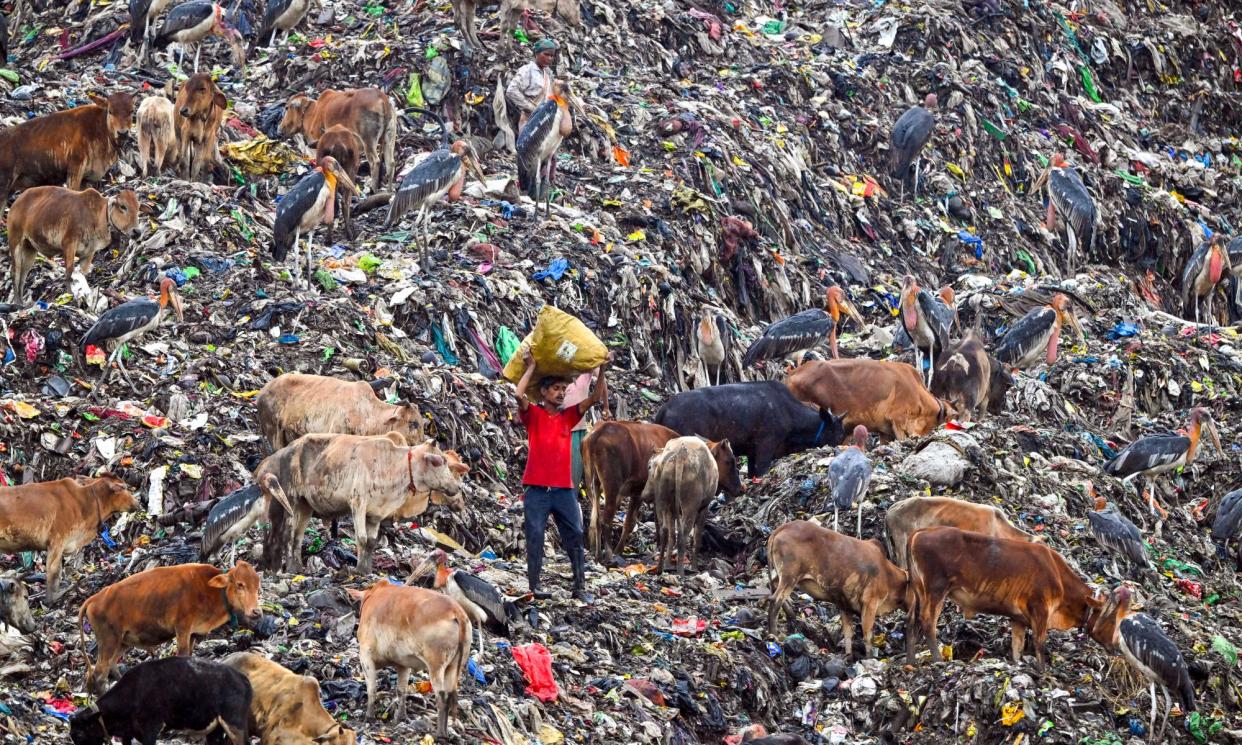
{"x": 886, "y": 398}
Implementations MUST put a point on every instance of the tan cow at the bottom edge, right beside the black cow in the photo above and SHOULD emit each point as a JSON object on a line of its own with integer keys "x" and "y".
{"x": 286, "y": 708}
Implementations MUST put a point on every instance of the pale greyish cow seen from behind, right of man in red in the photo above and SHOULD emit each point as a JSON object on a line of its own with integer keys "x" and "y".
{"x": 684, "y": 477}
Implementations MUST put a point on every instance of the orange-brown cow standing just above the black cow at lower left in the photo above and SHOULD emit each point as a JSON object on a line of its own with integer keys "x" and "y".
{"x": 162, "y": 604}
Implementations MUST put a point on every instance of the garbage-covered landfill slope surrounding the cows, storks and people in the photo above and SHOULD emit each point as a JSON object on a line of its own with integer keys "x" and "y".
{"x": 689, "y": 117}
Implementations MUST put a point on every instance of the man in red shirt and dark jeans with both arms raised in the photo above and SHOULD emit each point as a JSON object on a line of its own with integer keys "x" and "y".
{"x": 548, "y": 479}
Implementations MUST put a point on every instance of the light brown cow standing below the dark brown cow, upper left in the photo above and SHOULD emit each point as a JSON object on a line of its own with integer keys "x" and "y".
{"x": 58, "y": 222}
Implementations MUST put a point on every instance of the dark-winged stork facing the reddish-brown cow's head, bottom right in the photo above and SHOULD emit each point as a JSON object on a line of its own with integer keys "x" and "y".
{"x": 1157, "y": 657}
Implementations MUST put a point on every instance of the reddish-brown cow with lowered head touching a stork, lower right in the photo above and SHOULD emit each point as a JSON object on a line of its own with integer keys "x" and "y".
{"x": 1028, "y": 583}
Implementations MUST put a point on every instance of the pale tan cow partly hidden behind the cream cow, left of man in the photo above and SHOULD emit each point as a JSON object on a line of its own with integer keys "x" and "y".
{"x": 294, "y": 405}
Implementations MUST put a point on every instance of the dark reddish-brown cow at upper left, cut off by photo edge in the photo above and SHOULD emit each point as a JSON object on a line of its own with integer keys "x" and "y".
{"x": 66, "y": 147}
